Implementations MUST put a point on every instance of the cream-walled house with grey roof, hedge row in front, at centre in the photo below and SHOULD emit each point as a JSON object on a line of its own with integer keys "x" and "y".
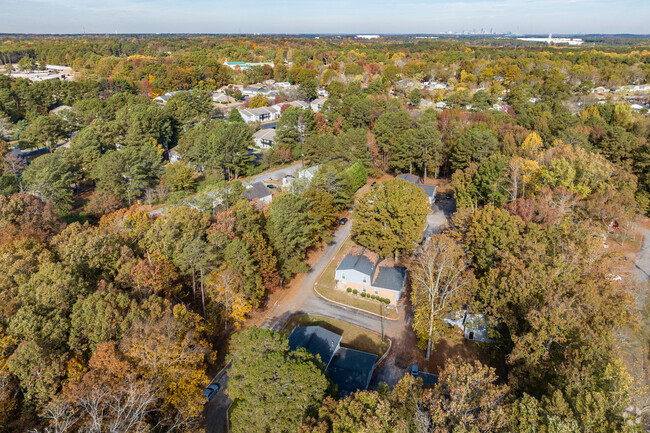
{"x": 363, "y": 270}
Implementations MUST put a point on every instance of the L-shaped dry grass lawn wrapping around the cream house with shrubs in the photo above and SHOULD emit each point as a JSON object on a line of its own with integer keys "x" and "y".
{"x": 325, "y": 287}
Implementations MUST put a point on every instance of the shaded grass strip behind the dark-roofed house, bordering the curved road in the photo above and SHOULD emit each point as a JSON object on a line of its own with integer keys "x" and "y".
{"x": 353, "y": 337}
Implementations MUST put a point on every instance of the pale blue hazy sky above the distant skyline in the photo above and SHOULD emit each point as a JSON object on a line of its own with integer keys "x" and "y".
{"x": 325, "y": 16}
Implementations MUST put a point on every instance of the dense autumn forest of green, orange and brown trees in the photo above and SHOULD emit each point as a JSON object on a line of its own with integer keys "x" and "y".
{"x": 128, "y": 280}
